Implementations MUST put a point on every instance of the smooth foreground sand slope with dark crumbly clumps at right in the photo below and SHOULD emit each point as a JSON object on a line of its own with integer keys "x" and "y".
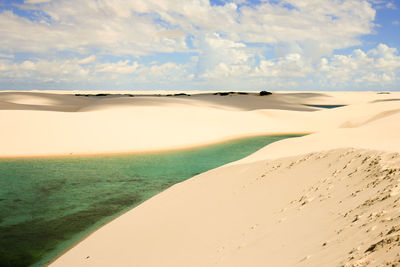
{"x": 332, "y": 208}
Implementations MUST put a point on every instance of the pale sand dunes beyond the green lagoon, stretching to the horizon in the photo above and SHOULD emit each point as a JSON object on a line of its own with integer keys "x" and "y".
{"x": 64, "y": 124}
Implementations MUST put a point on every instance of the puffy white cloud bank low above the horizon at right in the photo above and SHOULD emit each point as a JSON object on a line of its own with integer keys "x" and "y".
{"x": 359, "y": 69}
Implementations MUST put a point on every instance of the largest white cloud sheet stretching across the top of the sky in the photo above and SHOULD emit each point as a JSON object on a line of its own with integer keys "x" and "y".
{"x": 140, "y": 27}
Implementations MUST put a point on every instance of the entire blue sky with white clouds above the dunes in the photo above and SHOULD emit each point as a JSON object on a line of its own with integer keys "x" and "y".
{"x": 200, "y": 45}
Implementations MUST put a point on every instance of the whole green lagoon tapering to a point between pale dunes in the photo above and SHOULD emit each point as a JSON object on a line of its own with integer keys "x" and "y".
{"x": 49, "y": 204}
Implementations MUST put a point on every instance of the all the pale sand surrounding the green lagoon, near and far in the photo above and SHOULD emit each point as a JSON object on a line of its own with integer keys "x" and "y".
{"x": 327, "y": 199}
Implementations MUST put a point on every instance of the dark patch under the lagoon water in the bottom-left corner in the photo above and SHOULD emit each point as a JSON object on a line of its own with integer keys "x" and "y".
{"x": 24, "y": 243}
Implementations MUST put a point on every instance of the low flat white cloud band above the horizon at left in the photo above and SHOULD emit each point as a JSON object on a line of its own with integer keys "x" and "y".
{"x": 88, "y": 70}
